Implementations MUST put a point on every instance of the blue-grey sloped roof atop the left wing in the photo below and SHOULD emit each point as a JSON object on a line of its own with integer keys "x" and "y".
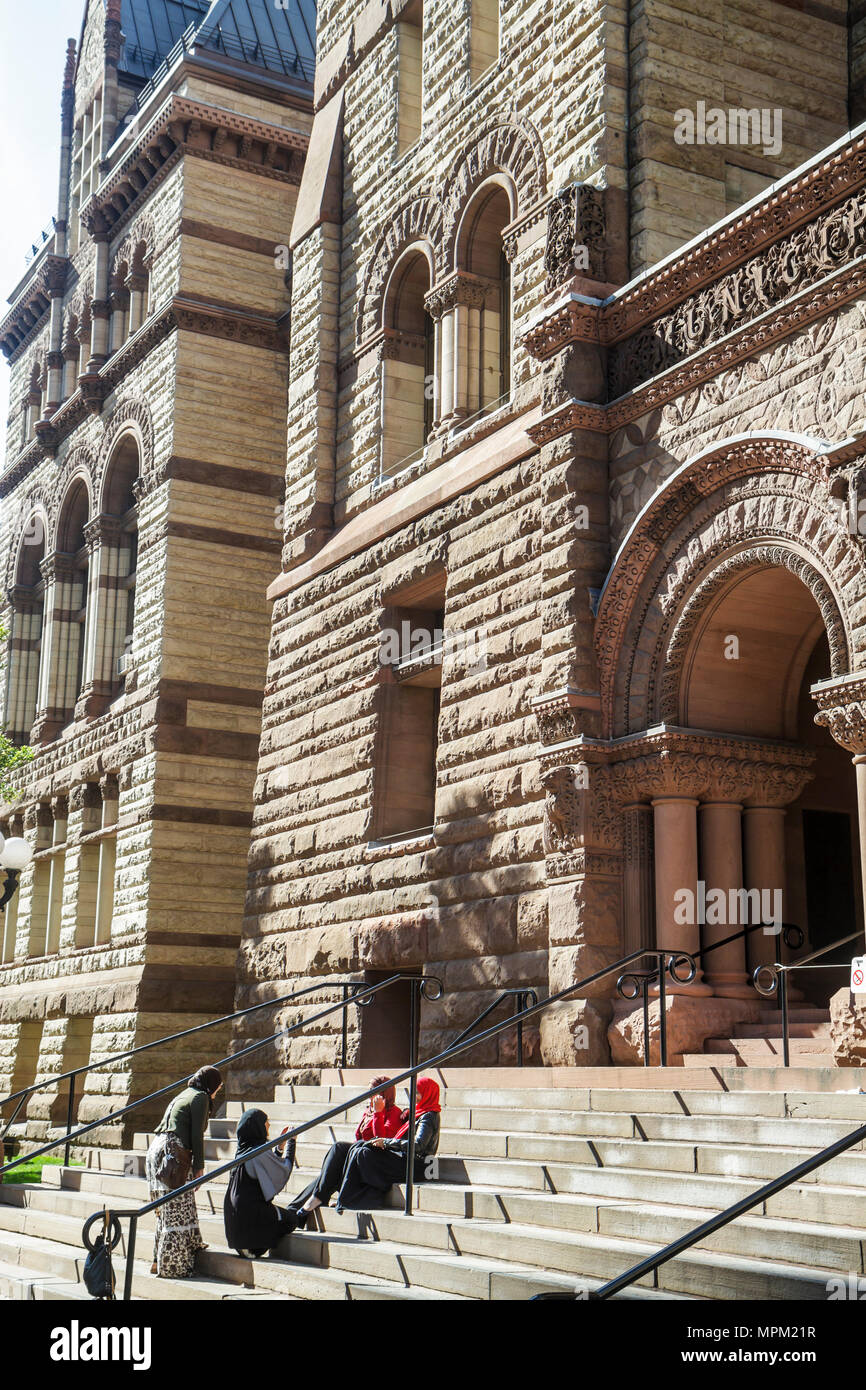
{"x": 247, "y": 31}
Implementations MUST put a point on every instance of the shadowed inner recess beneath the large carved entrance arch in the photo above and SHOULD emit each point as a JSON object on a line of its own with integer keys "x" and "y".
{"x": 757, "y": 651}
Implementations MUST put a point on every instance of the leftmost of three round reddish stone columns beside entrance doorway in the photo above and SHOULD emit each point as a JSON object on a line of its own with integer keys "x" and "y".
{"x": 676, "y": 864}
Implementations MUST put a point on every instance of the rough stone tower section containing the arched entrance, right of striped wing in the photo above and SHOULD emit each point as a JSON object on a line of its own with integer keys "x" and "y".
{"x": 578, "y": 386}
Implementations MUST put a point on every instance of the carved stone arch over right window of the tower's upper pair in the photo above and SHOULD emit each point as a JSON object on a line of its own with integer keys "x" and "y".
{"x": 504, "y": 147}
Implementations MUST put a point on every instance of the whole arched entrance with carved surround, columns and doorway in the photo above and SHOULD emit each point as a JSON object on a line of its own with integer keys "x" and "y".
{"x": 730, "y": 651}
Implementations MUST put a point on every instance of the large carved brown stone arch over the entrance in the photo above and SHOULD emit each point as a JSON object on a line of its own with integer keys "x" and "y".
{"x": 761, "y": 497}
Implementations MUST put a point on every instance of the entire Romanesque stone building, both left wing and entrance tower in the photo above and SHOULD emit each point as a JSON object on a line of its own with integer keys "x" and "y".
{"x": 555, "y": 434}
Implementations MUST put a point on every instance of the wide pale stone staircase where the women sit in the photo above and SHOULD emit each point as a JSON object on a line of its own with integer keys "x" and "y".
{"x": 541, "y": 1188}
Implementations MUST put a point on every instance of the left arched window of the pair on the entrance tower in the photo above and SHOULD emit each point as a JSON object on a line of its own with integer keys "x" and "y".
{"x": 409, "y": 362}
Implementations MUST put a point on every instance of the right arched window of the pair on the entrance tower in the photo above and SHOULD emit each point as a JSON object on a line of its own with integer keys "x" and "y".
{"x": 482, "y": 255}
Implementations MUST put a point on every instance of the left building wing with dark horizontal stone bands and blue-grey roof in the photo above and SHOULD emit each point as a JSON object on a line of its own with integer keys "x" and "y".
{"x": 144, "y": 473}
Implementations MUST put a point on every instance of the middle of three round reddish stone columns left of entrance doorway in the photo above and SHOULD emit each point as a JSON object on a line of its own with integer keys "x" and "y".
{"x": 722, "y": 871}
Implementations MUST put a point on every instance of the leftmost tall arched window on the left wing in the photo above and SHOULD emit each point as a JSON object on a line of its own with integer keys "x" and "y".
{"x": 27, "y": 601}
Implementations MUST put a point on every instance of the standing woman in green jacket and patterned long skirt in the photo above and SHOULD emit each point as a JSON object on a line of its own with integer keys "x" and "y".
{"x": 181, "y": 1138}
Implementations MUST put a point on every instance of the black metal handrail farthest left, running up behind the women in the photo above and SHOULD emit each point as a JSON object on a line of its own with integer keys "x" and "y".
{"x": 355, "y": 993}
